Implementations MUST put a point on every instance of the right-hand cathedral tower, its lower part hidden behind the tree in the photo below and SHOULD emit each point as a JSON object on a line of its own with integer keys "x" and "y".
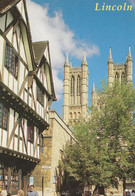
{"x": 120, "y": 71}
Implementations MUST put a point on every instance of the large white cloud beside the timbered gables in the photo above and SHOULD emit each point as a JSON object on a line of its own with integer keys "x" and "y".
{"x": 60, "y": 37}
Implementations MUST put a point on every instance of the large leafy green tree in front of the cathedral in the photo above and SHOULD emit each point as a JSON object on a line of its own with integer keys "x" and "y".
{"x": 105, "y": 147}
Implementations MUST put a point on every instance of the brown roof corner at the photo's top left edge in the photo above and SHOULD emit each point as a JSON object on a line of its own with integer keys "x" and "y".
{"x": 7, "y": 4}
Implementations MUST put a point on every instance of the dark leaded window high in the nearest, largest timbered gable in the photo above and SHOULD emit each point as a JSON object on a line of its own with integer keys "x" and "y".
{"x": 11, "y": 61}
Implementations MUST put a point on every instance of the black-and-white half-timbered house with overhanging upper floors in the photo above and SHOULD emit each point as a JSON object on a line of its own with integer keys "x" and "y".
{"x": 26, "y": 93}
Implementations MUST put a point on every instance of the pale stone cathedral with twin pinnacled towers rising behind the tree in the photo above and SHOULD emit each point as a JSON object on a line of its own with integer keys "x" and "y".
{"x": 75, "y": 89}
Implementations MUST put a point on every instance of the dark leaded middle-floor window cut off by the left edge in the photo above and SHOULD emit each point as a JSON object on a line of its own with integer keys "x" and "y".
{"x": 3, "y": 116}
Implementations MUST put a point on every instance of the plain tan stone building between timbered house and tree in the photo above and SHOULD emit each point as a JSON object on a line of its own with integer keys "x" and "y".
{"x": 47, "y": 177}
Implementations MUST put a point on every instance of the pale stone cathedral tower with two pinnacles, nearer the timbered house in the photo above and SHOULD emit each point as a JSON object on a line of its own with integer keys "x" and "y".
{"x": 75, "y": 92}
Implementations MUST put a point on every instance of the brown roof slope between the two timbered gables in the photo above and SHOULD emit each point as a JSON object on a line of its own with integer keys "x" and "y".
{"x": 39, "y": 48}
